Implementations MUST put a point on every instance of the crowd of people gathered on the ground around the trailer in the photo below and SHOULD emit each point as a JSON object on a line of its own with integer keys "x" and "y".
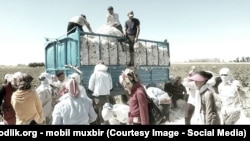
{"x": 61, "y": 99}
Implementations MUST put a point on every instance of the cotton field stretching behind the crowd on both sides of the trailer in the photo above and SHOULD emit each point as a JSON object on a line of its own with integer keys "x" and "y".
{"x": 240, "y": 71}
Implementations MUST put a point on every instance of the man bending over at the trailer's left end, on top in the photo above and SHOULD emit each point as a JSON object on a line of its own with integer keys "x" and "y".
{"x": 78, "y": 21}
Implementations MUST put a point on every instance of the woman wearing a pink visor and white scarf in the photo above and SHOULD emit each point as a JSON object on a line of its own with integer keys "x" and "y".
{"x": 205, "y": 107}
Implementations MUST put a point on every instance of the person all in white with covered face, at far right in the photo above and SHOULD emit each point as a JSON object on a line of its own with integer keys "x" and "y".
{"x": 229, "y": 95}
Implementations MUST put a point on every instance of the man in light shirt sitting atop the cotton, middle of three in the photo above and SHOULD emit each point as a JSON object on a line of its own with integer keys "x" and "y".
{"x": 112, "y": 19}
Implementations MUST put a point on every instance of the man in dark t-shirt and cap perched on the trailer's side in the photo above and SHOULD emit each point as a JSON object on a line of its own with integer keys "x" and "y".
{"x": 132, "y": 31}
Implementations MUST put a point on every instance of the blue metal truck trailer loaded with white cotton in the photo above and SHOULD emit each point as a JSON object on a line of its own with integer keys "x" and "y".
{"x": 82, "y": 50}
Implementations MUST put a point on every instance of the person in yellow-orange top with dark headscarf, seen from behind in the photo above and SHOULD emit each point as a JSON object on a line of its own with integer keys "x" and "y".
{"x": 25, "y": 101}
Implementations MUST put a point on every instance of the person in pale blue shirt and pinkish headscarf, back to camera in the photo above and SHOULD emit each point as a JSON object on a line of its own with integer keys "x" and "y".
{"x": 72, "y": 108}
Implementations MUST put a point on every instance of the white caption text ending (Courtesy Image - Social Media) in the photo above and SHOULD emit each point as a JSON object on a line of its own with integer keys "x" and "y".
{"x": 109, "y": 133}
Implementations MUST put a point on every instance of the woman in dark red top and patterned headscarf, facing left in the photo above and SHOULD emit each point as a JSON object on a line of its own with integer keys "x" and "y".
{"x": 138, "y": 104}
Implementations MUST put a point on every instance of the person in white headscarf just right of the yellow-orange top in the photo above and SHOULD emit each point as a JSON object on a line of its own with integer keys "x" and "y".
{"x": 44, "y": 91}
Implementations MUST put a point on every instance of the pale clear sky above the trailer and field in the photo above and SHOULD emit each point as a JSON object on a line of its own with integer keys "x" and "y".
{"x": 195, "y": 29}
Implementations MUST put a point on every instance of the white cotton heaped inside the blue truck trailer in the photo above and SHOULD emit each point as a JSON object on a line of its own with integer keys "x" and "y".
{"x": 146, "y": 53}
